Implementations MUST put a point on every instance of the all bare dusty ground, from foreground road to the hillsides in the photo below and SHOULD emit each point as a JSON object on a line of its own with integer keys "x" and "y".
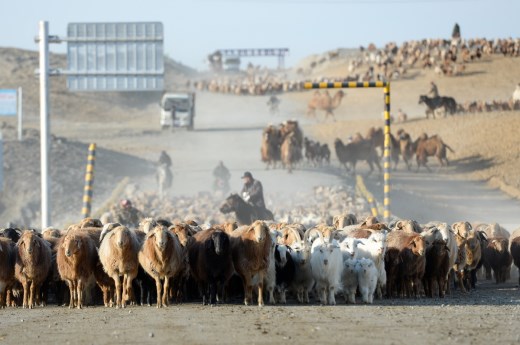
{"x": 481, "y": 184}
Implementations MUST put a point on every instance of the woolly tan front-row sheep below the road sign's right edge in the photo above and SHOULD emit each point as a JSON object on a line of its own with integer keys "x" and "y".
{"x": 162, "y": 257}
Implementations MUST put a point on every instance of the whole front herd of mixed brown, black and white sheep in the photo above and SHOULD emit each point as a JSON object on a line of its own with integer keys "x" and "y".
{"x": 357, "y": 260}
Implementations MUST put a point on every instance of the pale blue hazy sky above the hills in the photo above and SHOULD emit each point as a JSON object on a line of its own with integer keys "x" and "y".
{"x": 195, "y": 28}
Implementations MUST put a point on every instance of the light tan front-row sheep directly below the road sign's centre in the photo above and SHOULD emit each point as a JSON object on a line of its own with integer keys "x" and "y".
{"x": 118, "y": 255}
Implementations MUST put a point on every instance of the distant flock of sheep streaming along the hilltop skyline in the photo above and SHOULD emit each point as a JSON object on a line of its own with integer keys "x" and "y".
{"x": 446, "y": 57}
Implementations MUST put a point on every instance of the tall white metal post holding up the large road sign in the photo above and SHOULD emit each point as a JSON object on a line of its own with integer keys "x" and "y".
{"x": 44, "y": 122}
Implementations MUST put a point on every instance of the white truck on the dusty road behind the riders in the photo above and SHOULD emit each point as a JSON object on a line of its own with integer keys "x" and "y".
{"x": 183, "y": 104}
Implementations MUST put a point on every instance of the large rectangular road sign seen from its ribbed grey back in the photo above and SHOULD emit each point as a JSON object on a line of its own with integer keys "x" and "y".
{"x": 115, "y": 56}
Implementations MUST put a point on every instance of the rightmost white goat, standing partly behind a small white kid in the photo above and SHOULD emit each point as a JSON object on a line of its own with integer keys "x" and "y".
{"x": 374, "y": 248}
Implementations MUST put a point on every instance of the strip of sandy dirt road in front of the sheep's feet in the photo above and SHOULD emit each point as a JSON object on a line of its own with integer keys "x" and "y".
{"x": 487, "y": 316}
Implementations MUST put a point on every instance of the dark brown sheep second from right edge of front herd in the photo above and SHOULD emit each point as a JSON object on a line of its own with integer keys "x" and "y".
{"x": 497, "y": 255}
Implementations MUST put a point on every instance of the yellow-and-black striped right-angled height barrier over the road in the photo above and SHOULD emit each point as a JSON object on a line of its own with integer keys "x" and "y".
{"x": 386, "y": 160}
